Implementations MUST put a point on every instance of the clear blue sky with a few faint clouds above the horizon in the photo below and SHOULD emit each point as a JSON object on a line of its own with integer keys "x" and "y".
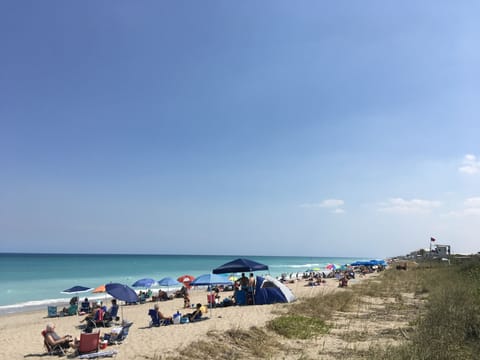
{"x": 315, "y": 128}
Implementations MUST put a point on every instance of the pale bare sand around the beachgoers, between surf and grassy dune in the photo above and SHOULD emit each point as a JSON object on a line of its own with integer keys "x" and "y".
{"x": 20, "y": 334}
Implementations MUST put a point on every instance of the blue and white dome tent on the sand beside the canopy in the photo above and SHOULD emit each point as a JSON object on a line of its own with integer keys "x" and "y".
{"x": 270, "y": 291}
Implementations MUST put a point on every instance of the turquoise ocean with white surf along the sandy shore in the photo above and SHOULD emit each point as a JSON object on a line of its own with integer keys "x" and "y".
{"x": 33, "y": 281}
